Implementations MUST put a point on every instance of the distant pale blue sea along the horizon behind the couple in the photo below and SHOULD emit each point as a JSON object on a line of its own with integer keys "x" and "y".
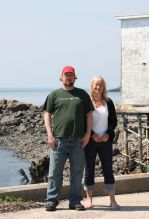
{"x": 38, "y": 96}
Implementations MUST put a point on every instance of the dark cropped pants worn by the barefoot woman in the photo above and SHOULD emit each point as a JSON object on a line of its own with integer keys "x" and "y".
{"x": 104, "y": 150}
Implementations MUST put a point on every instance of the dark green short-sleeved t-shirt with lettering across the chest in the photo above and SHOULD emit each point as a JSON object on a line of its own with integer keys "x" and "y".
{"x": 68, "y": 109}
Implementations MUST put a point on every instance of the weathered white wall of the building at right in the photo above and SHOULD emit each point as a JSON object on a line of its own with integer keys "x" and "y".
{"x": 135, "y": 61}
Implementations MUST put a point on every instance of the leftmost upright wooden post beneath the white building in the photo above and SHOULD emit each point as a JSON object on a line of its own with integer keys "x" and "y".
{"x": 125, "y": 124}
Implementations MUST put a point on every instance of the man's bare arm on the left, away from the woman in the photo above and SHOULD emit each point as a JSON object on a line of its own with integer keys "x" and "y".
{"x": 48, "y": 125}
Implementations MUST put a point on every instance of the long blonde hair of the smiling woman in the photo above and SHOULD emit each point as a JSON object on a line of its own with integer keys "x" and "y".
{"x": 98, "y": 78}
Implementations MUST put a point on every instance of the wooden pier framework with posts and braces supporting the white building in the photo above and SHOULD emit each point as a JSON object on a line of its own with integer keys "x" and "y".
{"x": 139, "y": 130}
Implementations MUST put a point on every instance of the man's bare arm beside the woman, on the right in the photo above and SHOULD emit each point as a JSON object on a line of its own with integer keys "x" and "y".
{"x": 89, "y": 123}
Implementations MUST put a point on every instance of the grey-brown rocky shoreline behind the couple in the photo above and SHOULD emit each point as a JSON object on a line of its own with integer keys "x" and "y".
{"x": 22, "y": 130}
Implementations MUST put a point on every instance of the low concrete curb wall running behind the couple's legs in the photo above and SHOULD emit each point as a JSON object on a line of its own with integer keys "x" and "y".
{"x": 37, "y": 192}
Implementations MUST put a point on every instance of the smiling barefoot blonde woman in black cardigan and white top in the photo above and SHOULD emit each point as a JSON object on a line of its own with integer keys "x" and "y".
{"x": 104, "y": 123}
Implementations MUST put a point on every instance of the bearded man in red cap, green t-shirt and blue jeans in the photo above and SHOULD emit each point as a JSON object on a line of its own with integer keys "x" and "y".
{"x": 68, "y": 121}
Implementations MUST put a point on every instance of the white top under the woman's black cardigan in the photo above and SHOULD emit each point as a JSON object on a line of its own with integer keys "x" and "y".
{"x": 100, "y": 120}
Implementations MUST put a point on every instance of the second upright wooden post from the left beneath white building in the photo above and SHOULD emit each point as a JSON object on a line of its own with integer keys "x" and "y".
{"x": 140, "y": 139}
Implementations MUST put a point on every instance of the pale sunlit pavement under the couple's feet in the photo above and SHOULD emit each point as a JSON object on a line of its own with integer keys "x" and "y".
{"x": 133, "y": 206}
